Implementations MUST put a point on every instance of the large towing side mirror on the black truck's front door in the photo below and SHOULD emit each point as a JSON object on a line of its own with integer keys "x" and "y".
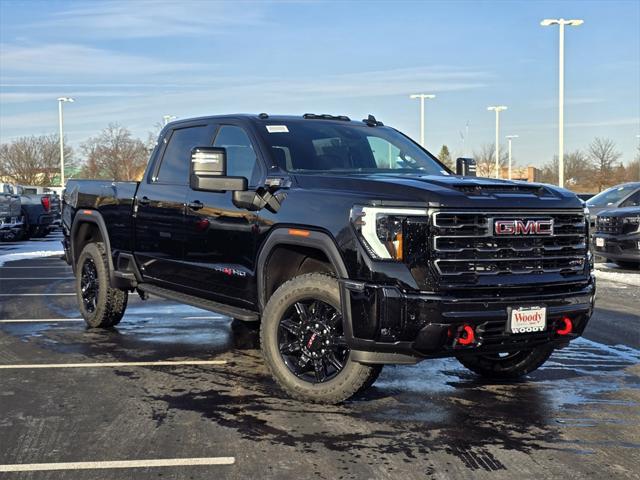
{"x": 209, "y": 171}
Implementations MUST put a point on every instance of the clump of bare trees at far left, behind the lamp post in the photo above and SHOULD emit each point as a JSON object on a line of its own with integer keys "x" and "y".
{"x": 33, "y": 160}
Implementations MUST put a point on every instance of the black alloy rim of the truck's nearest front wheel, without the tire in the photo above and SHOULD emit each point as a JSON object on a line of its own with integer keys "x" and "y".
{"x": 311, "y": 341}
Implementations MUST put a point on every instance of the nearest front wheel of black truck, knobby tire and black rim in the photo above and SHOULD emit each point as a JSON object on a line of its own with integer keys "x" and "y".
{"x": 303, "y": 342}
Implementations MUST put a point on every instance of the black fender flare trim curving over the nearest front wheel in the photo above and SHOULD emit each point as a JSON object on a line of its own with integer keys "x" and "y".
{"x": 280, "y": 236}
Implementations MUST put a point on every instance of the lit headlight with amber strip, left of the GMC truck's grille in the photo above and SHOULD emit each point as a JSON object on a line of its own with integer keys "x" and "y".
{"x": 381, "y": 229}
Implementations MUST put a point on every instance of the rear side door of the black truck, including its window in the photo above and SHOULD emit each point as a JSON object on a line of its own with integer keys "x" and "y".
{"x": 160, "y": 204}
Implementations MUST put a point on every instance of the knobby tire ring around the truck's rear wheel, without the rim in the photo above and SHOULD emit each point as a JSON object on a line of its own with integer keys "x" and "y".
{"x": 111, "y": 303}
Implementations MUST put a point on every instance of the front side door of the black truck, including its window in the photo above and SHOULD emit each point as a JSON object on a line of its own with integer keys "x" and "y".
{"x": 221, "y": 250}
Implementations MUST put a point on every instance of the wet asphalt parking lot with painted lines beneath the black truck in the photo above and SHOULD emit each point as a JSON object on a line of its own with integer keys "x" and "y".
{"x": 179, "y": 393}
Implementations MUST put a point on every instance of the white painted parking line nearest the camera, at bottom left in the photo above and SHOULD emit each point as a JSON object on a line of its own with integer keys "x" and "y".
{"x": 165, "y": 462}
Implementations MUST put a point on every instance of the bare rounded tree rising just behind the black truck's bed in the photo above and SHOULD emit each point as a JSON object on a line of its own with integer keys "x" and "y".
{"x": 115, "y": 155}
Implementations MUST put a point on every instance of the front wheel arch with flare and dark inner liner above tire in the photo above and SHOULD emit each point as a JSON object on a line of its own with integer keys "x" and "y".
{"x": 301, "y": 241}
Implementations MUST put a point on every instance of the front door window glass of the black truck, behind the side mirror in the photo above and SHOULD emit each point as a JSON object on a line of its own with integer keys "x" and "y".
{"x": 241, "y": 157}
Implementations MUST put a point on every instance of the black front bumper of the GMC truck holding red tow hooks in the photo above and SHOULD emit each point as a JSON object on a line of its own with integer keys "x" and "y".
{"x": 384, "y": 324}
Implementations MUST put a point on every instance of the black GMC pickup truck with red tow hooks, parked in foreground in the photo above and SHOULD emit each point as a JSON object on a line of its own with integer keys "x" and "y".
{"x": 352, "y": 245}
